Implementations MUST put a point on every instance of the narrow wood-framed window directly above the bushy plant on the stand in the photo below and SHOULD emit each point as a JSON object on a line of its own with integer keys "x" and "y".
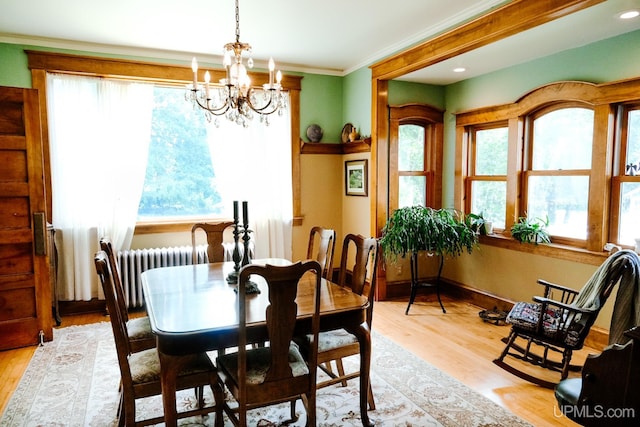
{"x": 414, "y": 171}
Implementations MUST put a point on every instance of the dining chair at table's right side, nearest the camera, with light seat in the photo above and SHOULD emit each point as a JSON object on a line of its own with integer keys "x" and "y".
{"x": 354, "y": 273}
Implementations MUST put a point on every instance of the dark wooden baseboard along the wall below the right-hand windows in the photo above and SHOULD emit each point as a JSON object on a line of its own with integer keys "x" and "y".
{"x": 598, "y": 338}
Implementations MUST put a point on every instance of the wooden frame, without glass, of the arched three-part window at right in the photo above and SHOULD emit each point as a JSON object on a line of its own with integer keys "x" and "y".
{"x": 605, "y": 99}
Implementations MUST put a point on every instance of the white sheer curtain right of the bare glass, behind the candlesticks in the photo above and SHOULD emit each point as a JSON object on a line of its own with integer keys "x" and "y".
{"x": 254, "y": 164}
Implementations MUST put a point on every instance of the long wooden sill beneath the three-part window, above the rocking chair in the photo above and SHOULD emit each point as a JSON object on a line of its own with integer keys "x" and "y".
{"x": 550, "y": 250}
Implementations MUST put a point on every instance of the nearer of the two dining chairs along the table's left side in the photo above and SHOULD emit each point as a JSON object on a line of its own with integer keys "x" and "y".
{"x": 140, "y": 372}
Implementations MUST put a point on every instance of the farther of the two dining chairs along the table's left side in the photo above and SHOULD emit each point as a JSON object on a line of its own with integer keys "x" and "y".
{"x": 138, "y": 328}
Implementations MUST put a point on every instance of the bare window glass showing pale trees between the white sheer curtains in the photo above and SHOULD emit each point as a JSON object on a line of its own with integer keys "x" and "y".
{"x": 179, "y": 181}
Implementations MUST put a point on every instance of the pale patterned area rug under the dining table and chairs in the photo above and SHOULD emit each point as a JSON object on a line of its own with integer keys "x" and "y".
{"x": 73, "y": 381}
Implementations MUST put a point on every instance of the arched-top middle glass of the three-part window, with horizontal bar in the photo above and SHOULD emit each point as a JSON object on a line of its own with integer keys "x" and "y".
{"x": 558, "y": 176}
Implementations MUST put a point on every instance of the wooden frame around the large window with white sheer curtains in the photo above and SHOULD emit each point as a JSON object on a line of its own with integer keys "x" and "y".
{"x": 40, "y": 63}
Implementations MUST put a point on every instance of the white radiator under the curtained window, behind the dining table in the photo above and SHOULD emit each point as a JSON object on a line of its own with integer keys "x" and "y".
{"x": 133, "y": 262}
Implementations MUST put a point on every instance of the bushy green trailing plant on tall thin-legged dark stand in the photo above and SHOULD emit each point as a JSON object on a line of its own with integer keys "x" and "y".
{"x": 441, "y": 232}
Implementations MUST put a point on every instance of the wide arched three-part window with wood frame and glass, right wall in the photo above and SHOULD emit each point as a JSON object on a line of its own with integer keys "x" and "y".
{"x": 568, "y": 152}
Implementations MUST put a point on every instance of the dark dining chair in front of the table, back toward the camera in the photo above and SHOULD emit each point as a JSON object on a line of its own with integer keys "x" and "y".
{"x": 276, "y": 373}
